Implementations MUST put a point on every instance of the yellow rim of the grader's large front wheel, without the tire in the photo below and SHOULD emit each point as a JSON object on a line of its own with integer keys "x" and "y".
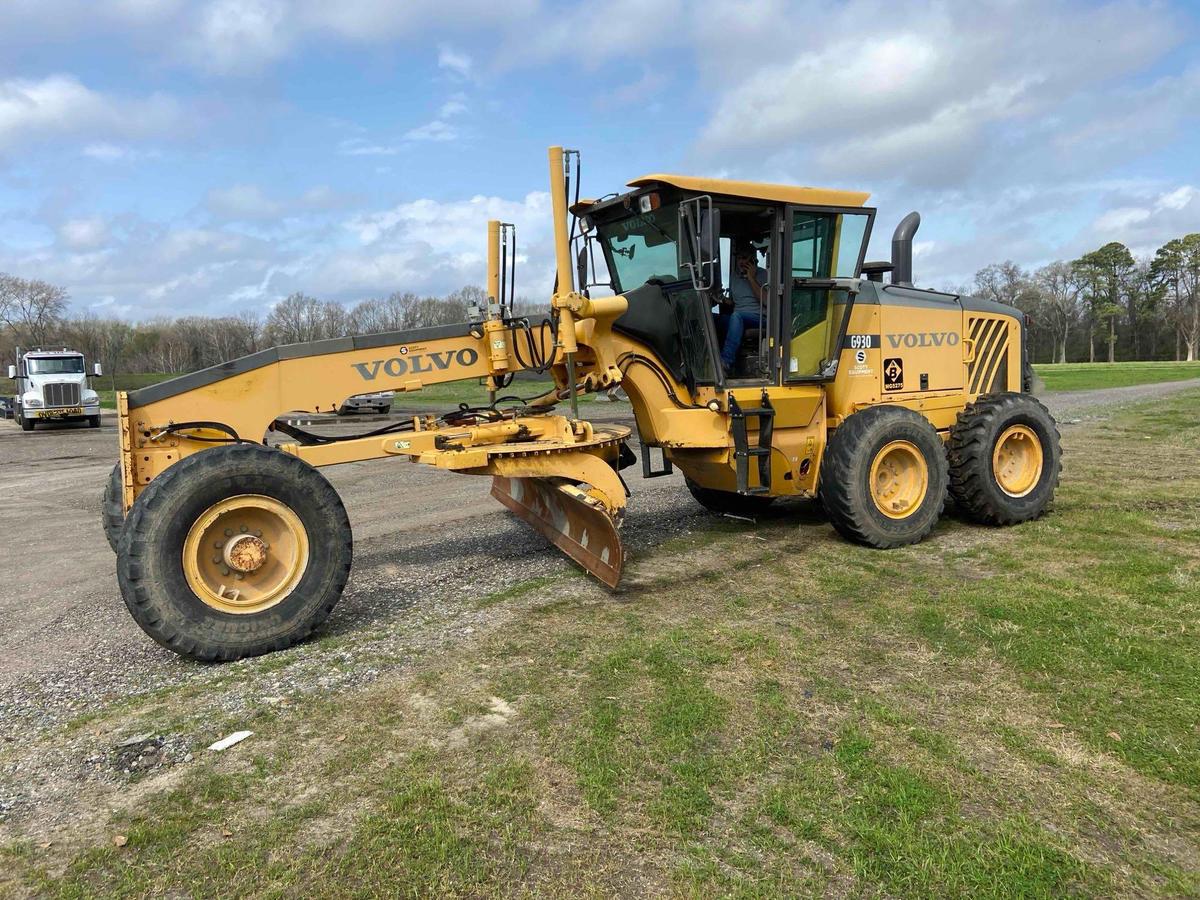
{"x": 247, "y": 554}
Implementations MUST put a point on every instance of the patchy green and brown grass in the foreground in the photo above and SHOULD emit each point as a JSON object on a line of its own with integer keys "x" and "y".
{"x": 763, "y": 712}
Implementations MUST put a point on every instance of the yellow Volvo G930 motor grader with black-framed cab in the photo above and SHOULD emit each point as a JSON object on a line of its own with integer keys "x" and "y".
{"x": 763, "y": 356}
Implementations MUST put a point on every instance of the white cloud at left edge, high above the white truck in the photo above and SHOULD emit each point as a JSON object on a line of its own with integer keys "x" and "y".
{"x": 59, "y": 106}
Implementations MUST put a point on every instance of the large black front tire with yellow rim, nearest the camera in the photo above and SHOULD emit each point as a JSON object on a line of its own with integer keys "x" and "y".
{"x": 235, "y": 551}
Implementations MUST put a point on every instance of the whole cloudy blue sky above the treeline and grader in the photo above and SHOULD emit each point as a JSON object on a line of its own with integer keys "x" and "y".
{"x": 165, "y": 158}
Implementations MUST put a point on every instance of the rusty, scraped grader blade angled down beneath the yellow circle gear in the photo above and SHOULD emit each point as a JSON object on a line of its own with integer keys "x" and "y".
{"x": 566, "y": 515}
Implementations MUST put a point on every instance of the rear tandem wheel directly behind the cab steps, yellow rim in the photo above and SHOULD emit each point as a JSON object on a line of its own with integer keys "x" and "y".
{"x": 884, "y": 478}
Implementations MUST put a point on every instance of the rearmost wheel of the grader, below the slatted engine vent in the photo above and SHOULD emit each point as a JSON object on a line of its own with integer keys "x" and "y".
{"x": 1005, "y": 458}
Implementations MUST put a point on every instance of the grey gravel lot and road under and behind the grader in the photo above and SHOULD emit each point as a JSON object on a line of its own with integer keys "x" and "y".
{"x": 70, "y": 650}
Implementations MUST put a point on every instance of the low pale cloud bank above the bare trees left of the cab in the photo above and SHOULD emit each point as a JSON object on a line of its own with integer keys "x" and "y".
{"x": 148, "y": 269}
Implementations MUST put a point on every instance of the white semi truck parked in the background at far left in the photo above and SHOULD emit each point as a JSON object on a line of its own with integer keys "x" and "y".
{"x": 52, "y": 387}
